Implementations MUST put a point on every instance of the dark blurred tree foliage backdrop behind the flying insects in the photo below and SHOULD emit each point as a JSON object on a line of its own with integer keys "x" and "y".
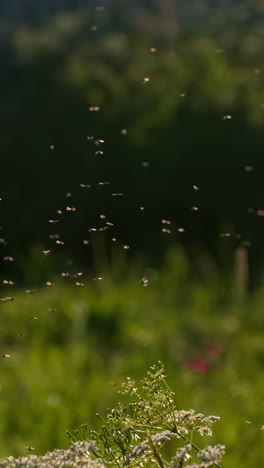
{"x": 203, "y": 60}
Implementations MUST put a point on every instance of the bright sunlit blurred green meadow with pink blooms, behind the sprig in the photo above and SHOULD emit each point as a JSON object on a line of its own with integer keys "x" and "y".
{"x": 70, "y": 346}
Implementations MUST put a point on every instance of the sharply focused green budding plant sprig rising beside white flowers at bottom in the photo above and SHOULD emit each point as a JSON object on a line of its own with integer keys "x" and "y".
{"x": 133, "y": 435}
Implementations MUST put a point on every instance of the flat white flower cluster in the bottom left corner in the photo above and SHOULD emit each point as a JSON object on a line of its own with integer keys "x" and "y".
{"x": 76, "y": 456}
